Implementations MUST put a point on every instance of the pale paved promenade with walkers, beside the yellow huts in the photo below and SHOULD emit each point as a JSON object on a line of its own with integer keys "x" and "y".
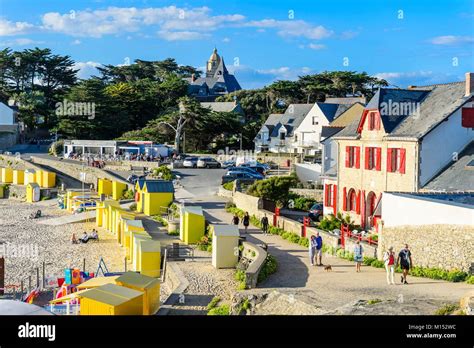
{"x": 329, "y": 290}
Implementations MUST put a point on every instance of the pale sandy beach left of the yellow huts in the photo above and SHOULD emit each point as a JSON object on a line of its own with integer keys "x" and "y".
{"x": 32, "y": 243}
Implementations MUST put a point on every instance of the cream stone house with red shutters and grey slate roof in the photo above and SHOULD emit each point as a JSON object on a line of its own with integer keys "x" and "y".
{"x": 403, "y": 140}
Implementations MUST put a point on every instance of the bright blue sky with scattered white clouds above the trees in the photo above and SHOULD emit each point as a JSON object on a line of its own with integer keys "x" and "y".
{"x": 410, "y": 42}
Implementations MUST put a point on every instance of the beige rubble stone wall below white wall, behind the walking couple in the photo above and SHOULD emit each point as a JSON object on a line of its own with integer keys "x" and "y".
{"x": 440, "y": 246}
